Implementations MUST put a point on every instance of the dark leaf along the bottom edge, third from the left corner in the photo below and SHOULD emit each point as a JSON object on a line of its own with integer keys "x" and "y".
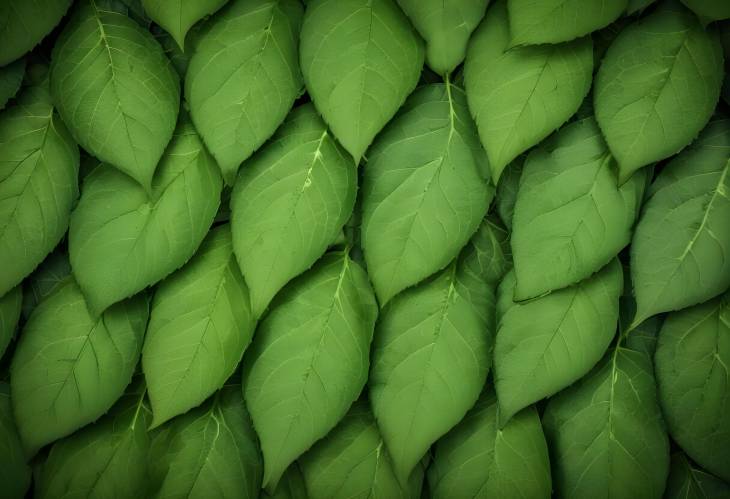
{"x": 212, "y": 450}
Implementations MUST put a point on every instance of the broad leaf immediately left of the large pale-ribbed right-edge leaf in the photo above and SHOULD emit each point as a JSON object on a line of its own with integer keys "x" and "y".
{"x": 570, "y": 218}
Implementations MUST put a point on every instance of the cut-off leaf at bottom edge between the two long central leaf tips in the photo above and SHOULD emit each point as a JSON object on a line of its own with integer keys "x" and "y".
{"x": 351, "y": 461}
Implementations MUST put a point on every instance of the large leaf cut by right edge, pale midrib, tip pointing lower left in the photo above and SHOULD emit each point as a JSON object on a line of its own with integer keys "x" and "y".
{"x": 680, "y": 254}
